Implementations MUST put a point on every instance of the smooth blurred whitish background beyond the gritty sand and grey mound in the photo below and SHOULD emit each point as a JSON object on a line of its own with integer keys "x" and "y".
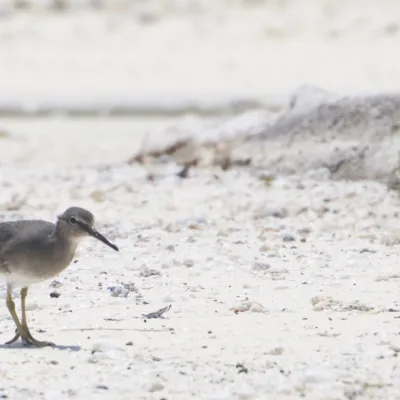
{"x": 96, "y": 69}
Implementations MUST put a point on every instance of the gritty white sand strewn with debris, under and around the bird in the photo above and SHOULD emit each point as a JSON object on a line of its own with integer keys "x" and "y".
{"x": 215, "y": 245}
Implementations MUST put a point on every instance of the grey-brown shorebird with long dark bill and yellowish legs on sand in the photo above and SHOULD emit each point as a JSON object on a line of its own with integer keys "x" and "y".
{"x": 32, "y": 251}
